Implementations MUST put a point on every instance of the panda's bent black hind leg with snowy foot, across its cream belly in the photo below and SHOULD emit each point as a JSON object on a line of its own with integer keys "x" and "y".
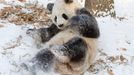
{"x": 74, "y": 50}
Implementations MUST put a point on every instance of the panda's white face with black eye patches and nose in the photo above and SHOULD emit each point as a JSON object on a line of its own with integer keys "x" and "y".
{"x": 62, "y": 11}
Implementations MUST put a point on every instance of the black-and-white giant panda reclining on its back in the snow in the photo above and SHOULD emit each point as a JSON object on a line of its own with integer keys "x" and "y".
{"x": 70, "y": 45}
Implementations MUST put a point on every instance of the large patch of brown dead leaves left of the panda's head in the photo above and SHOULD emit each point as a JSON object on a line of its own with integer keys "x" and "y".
{"x": 33, "y": 14}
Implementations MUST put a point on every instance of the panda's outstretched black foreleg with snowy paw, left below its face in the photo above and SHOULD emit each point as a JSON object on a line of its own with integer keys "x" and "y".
{"x": 43, "y": 34}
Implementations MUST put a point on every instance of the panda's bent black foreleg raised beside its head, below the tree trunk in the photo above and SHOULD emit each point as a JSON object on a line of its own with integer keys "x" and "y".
{"x": 86, "y": 24}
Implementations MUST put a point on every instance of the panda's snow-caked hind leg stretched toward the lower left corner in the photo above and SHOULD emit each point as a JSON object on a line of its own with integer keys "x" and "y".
{"x": 43, "y": 61}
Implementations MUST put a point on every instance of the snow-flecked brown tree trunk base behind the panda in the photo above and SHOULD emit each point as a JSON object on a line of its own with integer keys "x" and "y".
{"x": 101, "y": 8}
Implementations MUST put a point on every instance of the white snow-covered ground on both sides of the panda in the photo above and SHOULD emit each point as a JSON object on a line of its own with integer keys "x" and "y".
{"x": 116, "y": 44}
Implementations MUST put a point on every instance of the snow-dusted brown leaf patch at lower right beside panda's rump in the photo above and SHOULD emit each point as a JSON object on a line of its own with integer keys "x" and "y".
{"x": 104, "y": 62}
